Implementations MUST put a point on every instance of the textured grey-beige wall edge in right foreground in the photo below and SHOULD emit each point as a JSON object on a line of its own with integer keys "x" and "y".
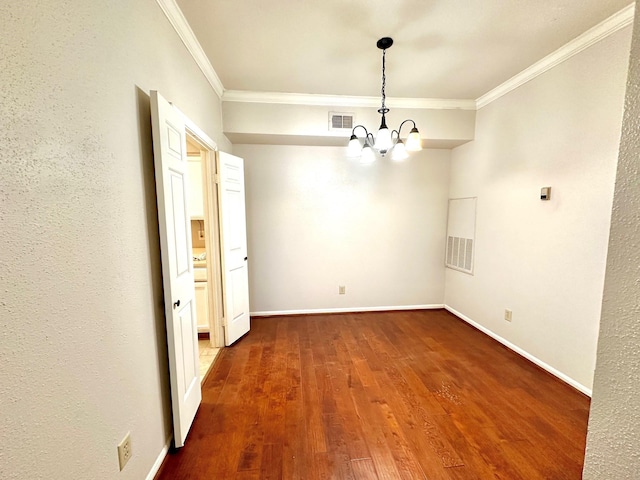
{"x": 613, "y": 442}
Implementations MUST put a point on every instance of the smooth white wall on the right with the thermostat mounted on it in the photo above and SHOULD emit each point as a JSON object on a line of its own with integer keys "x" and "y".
{"x": 544, "y": 260}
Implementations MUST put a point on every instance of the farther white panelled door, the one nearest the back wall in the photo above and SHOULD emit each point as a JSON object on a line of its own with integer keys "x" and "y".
{"x": 233, "y": 236}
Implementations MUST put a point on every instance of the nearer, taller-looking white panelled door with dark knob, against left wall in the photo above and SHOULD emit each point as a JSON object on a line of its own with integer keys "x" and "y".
{"x": 170, "y": 154}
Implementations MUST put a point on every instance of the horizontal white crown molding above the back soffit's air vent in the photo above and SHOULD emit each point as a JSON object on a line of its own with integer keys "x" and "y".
{"x": 344, "y": 100}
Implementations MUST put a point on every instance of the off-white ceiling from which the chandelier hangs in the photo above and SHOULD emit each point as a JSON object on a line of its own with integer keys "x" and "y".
{"x": 448, "y": 49}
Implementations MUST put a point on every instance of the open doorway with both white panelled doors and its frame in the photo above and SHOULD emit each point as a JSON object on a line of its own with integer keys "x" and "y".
{"x": 170, "y": 129}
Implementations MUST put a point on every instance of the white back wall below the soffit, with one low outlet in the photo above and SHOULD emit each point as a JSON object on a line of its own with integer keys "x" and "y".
{"x": 317, "y": 219}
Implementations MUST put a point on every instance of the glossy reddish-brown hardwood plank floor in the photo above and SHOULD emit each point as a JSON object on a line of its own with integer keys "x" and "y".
{"x": 390, "y": 395}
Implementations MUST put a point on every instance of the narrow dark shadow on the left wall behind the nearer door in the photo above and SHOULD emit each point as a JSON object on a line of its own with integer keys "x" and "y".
{"x": 143, "y": 101}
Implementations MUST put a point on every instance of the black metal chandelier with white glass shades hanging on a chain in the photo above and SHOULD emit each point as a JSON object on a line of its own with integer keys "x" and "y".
{"x": 385, "y": 140}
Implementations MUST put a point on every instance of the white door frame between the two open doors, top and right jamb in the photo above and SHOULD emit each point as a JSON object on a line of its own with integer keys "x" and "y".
{"x": 209, "y": 149}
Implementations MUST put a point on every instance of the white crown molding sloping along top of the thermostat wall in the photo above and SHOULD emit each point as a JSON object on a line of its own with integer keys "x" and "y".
{"x": 615, "y": 22}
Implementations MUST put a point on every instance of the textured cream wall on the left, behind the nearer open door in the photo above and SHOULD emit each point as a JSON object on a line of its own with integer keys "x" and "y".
{"x": 83, "y": 348}
